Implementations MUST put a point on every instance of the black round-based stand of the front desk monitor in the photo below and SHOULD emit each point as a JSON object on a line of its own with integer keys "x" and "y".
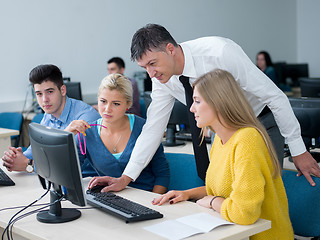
{"x": 56, "y": 214}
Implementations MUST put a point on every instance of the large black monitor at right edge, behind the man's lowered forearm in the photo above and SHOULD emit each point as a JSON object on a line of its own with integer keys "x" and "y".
{"x": 307, "y": 111}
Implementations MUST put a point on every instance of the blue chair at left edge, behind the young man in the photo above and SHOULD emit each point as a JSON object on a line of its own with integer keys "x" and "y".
{"x": 12, "y": 120}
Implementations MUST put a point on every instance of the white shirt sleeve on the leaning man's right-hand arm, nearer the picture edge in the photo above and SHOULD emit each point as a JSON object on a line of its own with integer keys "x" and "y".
{"x": 260, "y": 89}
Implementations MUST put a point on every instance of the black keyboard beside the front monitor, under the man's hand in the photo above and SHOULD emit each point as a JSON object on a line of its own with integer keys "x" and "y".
{"x": 121, "y": 207}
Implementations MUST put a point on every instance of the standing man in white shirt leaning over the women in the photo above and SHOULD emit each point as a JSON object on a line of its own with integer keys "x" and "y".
{"x": 156, "y": 51}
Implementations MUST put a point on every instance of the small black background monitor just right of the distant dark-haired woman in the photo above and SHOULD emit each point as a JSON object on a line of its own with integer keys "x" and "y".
{"x": 296, "y": 71}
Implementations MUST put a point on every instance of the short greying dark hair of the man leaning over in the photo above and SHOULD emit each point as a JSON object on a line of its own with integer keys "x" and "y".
{"x": 152, "y": 36}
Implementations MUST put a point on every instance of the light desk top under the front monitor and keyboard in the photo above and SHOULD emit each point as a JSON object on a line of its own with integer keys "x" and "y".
{"x": 95, "y": 224}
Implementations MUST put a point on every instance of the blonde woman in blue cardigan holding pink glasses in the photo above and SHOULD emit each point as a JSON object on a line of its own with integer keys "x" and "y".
{"x": 111, "y": 138}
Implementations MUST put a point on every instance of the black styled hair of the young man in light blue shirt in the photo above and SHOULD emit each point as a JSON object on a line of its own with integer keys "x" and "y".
{"x": 46, "y": 72}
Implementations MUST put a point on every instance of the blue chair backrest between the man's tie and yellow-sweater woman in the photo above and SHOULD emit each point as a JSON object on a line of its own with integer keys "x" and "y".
{"x": 183, "y": 171}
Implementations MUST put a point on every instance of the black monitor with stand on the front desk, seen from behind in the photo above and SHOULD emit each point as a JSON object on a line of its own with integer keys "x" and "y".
{"x": 56, "y": 160}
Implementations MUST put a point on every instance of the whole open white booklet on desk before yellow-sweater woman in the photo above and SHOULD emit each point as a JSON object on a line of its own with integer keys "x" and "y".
{"x": 187, "y": 226}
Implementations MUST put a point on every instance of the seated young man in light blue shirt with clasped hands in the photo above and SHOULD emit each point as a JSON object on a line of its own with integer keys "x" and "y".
{"x": 60, "y": 112}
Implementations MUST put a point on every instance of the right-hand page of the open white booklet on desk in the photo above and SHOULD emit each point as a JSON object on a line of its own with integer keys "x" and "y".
{"x": 203, "y": 221}
